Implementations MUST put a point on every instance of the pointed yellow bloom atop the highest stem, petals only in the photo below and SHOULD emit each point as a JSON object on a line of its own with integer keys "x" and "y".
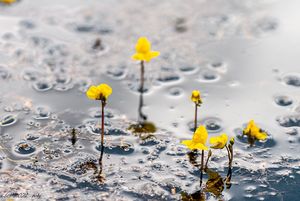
{"x": 143, "y": 50}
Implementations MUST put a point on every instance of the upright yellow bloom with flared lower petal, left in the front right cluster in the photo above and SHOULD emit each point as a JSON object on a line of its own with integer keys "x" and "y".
{"x": 199, "y": 139}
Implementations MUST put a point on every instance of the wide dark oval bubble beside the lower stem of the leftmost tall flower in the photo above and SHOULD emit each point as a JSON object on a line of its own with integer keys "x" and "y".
{"x": 118, "y": 147}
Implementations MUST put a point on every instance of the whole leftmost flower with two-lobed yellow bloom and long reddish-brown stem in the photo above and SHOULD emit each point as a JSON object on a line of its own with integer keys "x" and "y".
{"x": 101, "y": 93}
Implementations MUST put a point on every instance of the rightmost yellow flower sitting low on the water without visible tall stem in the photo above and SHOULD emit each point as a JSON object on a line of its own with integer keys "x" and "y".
{"x": 254, "y": 133}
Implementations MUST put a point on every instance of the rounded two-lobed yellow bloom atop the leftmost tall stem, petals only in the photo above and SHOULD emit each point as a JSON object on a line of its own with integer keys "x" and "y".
{"x": 100, "y": 92}
